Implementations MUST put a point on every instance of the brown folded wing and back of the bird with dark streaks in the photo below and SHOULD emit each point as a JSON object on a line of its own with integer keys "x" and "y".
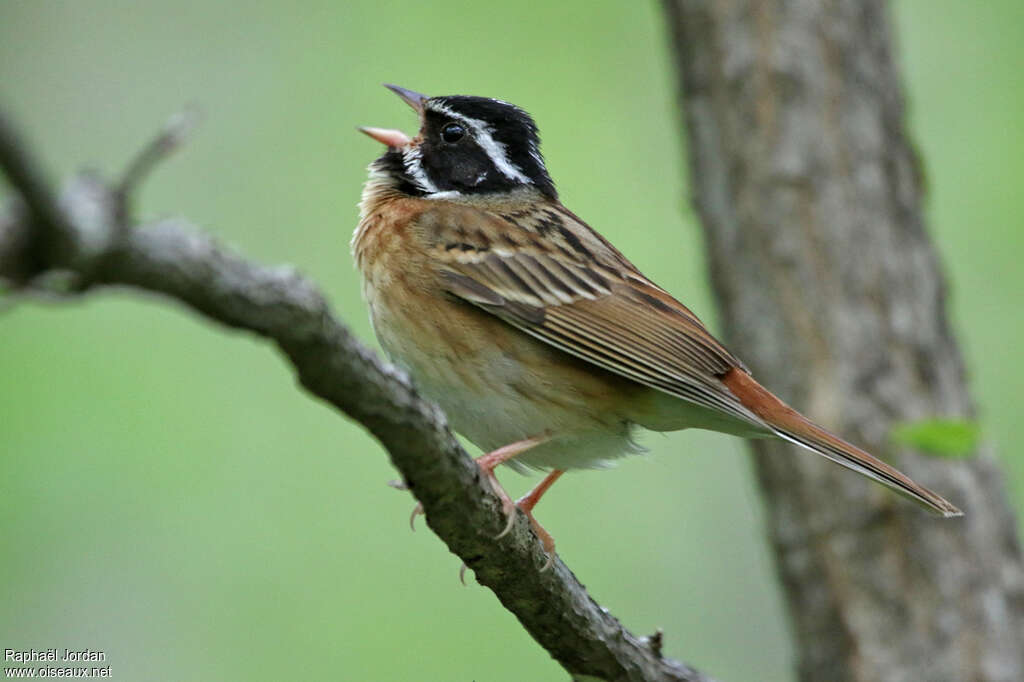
{"x": 549, "y": 275}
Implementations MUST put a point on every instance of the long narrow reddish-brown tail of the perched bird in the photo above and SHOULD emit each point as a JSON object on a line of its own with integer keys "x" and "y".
{"x": 791, "y": 425}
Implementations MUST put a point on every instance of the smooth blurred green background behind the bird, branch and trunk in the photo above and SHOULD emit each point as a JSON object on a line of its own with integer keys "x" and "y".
{"x": 169, "y": 497}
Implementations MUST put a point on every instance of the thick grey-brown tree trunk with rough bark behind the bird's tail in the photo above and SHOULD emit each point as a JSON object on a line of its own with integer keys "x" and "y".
{"x": 830, "y": 288}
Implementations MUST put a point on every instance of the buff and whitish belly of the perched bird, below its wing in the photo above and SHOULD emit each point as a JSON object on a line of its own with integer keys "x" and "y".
{"x": 498, "y": 386}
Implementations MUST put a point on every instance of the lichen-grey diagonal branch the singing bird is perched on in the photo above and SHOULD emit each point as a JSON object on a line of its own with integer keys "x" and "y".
{"x": 88, "y": 234}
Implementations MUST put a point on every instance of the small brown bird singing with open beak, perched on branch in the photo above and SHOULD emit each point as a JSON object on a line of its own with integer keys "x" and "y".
{"x": 543, "y": 345}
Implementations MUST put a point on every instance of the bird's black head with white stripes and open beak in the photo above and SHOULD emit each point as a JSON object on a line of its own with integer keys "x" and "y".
{"x": 466, "y": 147}
